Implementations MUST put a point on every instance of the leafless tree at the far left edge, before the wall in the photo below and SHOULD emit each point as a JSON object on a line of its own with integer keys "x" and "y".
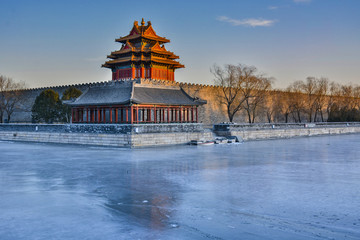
{"x": 10, "y": 96}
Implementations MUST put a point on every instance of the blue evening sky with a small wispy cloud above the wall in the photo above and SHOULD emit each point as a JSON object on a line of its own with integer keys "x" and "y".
{"x": 47, "y": 43}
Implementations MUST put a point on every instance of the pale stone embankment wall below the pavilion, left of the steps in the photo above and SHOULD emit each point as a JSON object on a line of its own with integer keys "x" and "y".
{"x": 112, "y": 135}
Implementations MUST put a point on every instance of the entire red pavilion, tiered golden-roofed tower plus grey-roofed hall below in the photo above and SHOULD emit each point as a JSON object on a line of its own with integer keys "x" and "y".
{"x": 127, "y": 99}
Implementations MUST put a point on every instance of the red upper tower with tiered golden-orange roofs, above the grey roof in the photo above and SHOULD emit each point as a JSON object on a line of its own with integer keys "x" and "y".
{"x": 142, "y": 55}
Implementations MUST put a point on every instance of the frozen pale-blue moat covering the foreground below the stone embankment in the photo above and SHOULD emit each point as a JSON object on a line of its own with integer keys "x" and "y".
{"x": 306, "y": 188}
